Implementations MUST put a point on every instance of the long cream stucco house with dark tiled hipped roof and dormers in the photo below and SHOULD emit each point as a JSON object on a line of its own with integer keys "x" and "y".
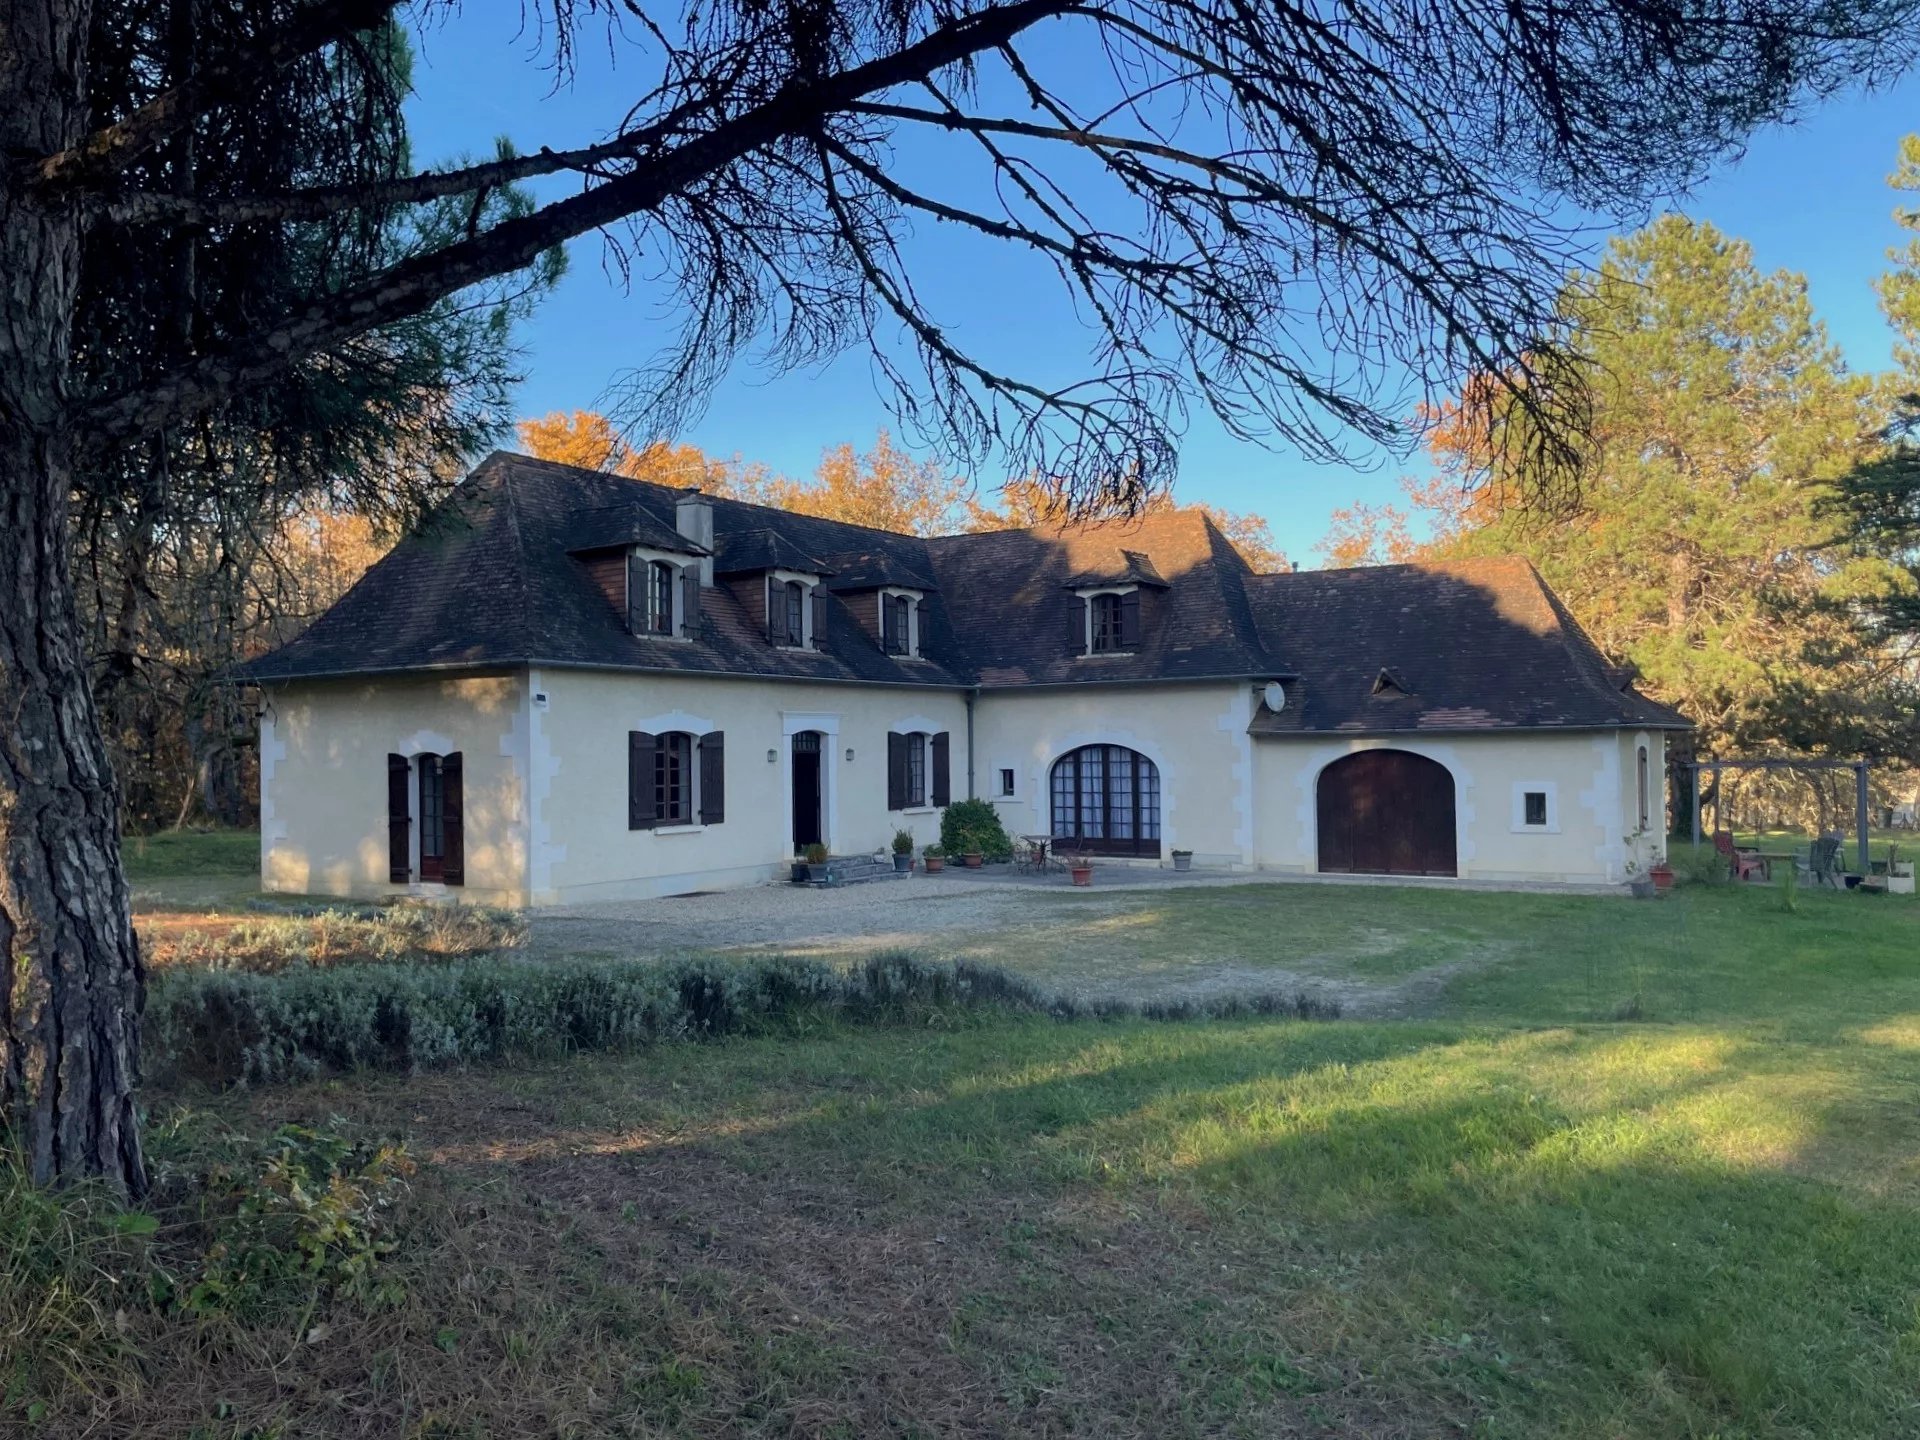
{"x": 569, "y": 686}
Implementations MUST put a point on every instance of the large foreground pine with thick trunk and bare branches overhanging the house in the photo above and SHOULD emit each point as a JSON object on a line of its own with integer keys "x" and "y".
{"x": 1278, "y": 214}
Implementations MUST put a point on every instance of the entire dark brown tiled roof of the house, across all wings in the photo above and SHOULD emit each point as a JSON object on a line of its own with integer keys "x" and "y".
{"x": 494, "y": 581}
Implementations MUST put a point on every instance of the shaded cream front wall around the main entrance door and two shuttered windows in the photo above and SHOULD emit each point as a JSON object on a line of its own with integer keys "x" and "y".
{"x": 588, "y": 853}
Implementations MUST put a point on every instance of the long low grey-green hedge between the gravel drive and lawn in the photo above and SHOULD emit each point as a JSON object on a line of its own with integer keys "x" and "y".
{"x": 222, "y": 1026}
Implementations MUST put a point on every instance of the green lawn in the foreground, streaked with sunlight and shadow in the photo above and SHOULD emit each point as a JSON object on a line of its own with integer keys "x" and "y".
{"x": 1514, "y": 1216}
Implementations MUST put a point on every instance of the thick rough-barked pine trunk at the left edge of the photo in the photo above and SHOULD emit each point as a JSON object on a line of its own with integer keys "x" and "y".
{"x": 70, "y": 1007}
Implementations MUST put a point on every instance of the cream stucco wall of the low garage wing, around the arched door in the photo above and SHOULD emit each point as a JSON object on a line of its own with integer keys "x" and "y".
{"x": 1589, "y": 779}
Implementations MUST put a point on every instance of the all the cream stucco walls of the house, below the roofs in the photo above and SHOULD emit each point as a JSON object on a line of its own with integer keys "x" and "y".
{"x": 546, "y": 780}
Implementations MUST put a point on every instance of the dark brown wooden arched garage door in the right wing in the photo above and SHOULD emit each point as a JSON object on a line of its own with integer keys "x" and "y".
{"x": 1387, "y": 813}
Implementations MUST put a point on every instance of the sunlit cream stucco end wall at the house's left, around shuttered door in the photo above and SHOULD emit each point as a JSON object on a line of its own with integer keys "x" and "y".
{"x": 324, "y": 780}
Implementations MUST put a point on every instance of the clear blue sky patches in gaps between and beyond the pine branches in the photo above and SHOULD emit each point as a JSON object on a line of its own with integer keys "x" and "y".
{"x": 1808, "y": 197}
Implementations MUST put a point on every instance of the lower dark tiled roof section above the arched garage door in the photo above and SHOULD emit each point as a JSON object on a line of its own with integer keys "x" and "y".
{"x": 1445, "y": 646}
